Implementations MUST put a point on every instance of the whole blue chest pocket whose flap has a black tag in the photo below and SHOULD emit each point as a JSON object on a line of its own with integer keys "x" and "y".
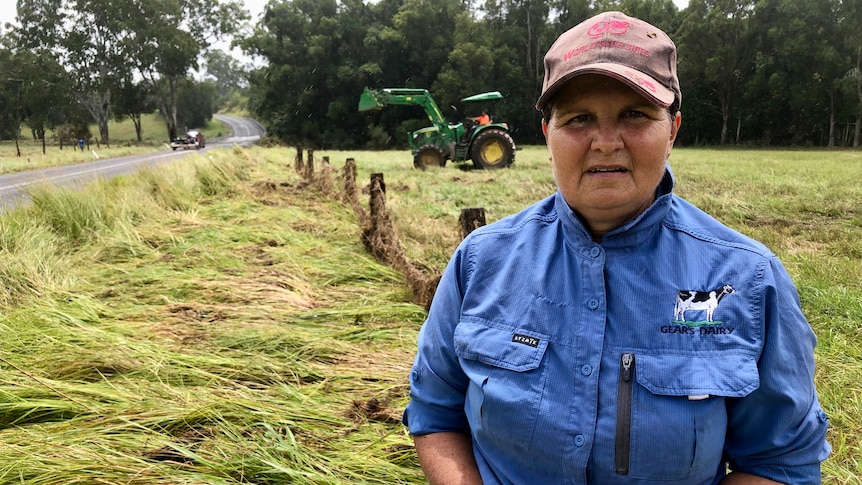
{"x": 507, "y": 381}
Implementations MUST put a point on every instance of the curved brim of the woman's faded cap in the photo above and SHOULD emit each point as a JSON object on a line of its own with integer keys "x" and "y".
{"x": 640, "y": 82}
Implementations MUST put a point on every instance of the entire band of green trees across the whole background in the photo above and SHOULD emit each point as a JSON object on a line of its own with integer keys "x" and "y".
{"x": 753, "y": 72}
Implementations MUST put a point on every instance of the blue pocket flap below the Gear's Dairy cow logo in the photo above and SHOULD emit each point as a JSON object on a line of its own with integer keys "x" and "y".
{"x": 676, "y": 375}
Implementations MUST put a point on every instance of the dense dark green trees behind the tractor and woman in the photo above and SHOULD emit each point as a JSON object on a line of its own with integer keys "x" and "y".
{"x": 767, "y": 72}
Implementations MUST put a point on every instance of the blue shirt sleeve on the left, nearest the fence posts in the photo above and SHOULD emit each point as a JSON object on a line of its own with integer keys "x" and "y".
{"x": 437, "y": 383}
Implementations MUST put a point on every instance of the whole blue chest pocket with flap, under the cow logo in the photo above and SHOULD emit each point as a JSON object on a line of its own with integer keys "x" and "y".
{"x": 678, "y": 416}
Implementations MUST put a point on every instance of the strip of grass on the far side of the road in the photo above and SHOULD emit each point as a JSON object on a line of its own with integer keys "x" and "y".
{"x": 123, "y": 141}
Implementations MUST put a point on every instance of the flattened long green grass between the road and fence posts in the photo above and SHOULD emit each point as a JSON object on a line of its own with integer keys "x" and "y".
{"x": 206, "y": 334}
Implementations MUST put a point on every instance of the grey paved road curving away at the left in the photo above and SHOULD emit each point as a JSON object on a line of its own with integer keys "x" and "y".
{"x": 14, "y": 186}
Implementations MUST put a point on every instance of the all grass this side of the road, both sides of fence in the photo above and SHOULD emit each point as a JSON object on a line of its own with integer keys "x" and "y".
{"x": 221, "y": 322}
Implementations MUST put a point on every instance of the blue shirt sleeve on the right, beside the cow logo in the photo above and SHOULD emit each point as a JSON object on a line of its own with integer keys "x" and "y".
{"x": 779, "y": 430}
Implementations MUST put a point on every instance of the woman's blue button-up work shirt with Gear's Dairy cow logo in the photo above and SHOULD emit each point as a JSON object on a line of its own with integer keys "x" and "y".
{"x": 659, "y": 355}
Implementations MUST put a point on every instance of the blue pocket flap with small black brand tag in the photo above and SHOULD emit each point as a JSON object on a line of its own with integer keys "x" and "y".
{"x": 512, "y": 349}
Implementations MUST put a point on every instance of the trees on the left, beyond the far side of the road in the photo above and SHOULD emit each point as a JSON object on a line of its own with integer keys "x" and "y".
{"x": 71, "y": 63}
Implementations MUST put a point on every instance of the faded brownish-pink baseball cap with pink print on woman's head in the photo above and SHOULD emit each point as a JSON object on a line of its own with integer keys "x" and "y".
{"x": 615, "y": 45}
